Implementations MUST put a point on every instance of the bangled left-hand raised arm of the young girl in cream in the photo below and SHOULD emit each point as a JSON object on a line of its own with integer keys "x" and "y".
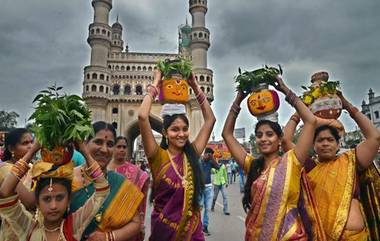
{"x": 19, "y": 169}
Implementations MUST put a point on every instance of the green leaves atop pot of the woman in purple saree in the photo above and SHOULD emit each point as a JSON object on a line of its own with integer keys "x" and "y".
{"x": 178, "y": 66}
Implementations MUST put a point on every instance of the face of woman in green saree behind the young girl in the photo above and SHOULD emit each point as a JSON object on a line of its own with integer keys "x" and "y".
{"x": 101, "y": 147}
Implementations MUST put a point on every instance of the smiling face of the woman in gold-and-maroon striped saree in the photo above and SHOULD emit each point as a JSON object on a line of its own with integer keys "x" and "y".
{"x": 267, "y": 140}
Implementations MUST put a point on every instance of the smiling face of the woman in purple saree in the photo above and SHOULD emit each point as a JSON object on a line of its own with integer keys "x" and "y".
{"x": 177, "y": 133}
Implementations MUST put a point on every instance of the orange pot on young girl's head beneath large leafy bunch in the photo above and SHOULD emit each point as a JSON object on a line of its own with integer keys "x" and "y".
{"x": 58, "y": 156}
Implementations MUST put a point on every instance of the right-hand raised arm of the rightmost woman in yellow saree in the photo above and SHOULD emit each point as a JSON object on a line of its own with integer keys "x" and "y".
{"x": 366, "y": 151}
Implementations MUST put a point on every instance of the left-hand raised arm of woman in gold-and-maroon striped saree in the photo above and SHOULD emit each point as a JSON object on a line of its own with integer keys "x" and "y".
{"x": 237, "y": 151}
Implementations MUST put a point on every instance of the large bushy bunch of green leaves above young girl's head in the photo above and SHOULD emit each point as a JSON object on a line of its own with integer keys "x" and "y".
{"x": 60, "y": 119}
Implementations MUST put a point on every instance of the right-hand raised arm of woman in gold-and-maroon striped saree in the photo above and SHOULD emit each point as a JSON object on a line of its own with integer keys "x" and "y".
{"x": 305, "y": 140}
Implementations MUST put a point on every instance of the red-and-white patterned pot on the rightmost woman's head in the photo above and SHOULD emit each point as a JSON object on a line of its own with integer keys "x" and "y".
{"x": 327, "y": 107}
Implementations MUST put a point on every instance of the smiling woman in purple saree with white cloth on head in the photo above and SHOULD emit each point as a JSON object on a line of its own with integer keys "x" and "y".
{"x": 177, "y": 177}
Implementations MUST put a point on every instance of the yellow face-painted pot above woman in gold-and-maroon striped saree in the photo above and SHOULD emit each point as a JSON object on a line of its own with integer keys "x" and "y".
{"x": 263, "y": 101}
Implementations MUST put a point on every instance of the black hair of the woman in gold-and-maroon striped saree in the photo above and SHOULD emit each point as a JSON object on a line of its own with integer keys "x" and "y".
{"x": 257, "y": 165}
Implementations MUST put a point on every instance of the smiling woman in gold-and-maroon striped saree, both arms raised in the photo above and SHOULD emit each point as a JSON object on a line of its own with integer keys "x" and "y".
{"x": 277, "y": 200}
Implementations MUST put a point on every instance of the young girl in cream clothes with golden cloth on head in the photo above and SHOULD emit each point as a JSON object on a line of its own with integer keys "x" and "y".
{"x": 52, "y": 192}
